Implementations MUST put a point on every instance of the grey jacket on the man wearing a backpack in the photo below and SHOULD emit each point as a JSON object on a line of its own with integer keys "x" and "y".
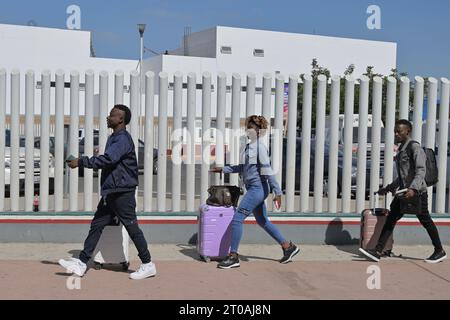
{"x": 411, "y": 172}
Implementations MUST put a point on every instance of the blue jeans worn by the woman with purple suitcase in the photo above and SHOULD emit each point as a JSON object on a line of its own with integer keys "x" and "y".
{"x": 253, "y": 202}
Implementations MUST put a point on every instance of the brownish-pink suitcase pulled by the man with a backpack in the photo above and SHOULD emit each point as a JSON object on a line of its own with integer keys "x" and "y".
{"x": 372, "y": 222}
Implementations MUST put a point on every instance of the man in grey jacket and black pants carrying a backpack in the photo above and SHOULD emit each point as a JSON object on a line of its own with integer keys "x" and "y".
{"x": 411, "y": 168}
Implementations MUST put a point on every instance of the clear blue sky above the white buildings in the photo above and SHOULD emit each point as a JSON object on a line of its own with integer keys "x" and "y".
{"x": 420, "y": 28}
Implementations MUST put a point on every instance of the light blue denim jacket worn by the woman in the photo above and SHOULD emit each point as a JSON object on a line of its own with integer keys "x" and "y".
{"x": 248, "y": 169}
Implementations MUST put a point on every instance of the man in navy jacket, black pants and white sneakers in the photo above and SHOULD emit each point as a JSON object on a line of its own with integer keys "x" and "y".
{"x": 118, "y": 185}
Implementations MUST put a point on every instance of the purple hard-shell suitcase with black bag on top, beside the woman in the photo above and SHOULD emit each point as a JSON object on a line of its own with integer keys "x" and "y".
{"x": 214, "y": 232}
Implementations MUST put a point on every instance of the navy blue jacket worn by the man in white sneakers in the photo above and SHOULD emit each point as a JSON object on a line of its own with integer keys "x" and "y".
{"x": 119, "y": 164}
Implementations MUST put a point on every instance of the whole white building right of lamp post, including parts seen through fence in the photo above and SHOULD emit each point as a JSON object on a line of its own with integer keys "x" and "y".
{"x": 243, "y": 51}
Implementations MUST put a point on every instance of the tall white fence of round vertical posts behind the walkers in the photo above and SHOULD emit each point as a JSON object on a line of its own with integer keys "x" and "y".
{"x": 228, "y": 120}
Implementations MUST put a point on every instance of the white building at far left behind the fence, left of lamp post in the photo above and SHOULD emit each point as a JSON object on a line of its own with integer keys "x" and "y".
{"x": 34, "y": 48}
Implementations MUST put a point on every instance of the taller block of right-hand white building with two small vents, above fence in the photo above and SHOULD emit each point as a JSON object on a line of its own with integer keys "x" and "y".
{"x": 290, "y": 53}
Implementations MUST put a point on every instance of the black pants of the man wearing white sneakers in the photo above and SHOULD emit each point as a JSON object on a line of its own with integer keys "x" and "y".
{"x": 122, "y": 205}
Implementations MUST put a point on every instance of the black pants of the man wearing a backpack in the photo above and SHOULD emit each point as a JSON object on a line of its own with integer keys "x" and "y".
{"x": 397, "y": 212}
